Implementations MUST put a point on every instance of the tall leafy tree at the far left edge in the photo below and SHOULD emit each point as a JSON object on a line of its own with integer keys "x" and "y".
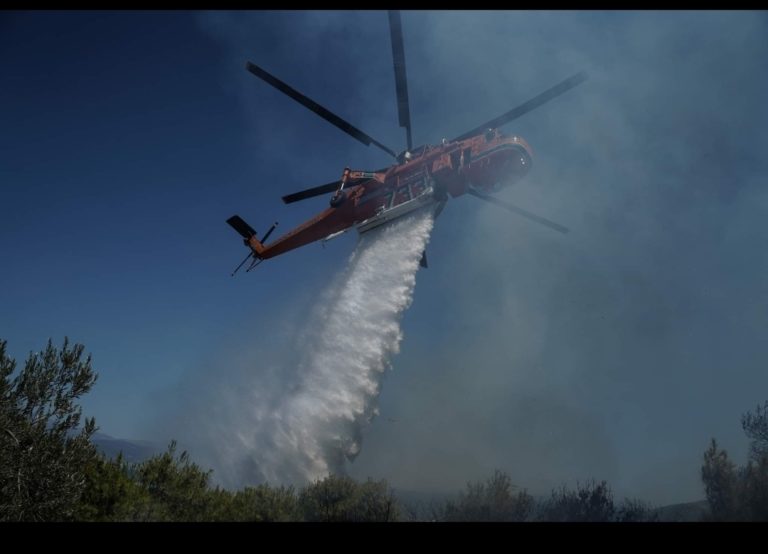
{"x": 43, "y": 449}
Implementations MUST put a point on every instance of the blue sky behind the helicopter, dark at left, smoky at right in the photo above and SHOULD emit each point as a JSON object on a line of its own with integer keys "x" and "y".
{"x": 614, "y": 352}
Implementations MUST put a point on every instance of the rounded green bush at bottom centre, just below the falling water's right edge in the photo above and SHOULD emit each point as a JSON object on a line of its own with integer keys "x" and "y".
{"x": 338, "y": 498}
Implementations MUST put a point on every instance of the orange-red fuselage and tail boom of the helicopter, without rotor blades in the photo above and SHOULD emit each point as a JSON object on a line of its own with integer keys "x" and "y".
{"x": 486, "y": 162}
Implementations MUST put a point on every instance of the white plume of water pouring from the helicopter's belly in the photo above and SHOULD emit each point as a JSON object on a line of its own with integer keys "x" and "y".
{"x": 299, "y": 422}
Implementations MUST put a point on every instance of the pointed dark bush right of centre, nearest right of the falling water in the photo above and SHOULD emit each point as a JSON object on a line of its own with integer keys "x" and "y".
{"x": 493, "y": 500}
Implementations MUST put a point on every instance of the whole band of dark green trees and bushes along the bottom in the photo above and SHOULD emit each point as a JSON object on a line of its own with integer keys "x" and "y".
{"x": 50, "y": 471}
